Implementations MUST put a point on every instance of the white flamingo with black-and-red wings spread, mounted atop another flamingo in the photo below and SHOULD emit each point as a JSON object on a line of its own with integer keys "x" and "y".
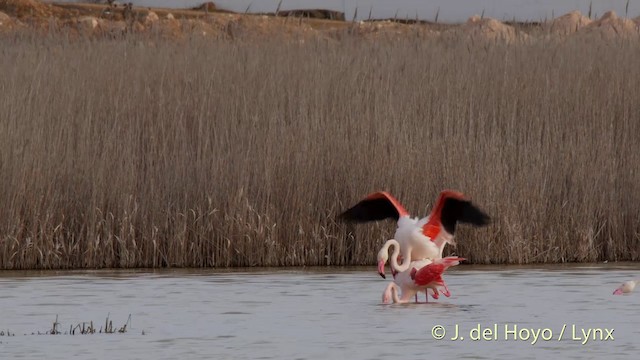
{"x": 418, "y": 238}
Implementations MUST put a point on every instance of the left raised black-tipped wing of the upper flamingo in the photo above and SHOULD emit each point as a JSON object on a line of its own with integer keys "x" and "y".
{"x": 376, "y": 206}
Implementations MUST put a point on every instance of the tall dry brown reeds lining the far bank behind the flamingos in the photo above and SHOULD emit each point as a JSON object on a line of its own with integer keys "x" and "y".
{"x": 135, "y": 153}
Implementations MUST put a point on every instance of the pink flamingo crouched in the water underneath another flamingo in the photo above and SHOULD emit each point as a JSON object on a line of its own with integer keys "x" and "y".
{"x": 422, "y": 276}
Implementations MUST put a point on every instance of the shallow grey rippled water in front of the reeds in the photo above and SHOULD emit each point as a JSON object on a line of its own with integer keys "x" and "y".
{"x": 319, "y": 313}
